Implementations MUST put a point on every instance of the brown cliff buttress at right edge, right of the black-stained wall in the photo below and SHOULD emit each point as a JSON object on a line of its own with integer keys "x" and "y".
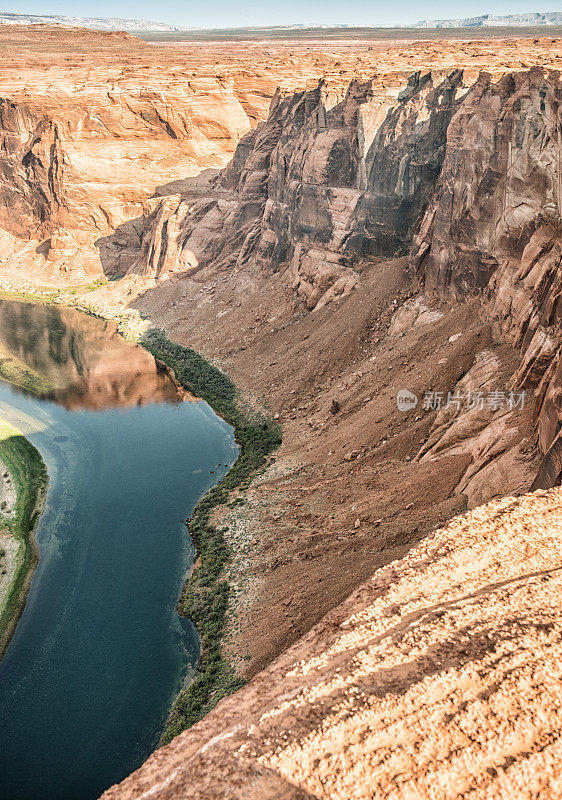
{"x": 495, "y": 226}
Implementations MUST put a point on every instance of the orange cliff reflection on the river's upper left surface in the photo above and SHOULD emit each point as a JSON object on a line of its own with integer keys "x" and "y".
{"x": 76, "y": 360}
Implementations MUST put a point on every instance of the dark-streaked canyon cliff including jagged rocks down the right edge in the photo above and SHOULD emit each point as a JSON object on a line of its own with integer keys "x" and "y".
{"x": 465, "y": 174}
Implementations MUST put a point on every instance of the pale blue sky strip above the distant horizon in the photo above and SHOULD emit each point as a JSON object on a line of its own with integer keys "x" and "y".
{"x": 226, "y": 13}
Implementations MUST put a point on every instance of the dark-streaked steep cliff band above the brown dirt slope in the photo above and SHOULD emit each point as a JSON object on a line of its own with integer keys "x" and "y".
{"x": 344, "y": 172}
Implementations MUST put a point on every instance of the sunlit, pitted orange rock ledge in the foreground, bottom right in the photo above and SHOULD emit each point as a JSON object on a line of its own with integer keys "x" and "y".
{"x": 439, "y": 678}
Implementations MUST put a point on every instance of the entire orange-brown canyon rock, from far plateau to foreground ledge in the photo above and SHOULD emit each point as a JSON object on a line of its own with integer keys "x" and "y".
{"x": 332, "y": 223}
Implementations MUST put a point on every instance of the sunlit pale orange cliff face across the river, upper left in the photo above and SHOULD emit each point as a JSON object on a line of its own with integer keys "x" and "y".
{"x": 68, "y": 183}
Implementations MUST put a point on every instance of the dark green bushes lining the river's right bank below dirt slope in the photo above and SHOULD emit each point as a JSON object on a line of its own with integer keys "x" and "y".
{"x": 205, "y": 600}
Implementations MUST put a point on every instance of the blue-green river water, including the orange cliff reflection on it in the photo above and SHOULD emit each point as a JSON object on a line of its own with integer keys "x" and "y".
{"x": 100, "y": 651}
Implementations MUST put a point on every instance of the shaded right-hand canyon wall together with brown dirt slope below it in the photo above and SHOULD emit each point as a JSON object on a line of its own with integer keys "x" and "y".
{"x": 315, "y": 200}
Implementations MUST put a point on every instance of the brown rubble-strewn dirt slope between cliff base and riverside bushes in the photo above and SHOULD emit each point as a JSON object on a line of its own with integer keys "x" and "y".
{"x": 345, "y": 494}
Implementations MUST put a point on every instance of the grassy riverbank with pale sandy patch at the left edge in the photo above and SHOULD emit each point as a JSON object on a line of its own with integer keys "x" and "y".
{"x": 25, "y": 473}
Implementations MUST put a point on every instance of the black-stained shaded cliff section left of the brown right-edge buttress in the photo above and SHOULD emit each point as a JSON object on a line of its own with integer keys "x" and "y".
{"x": 335, "y": 174}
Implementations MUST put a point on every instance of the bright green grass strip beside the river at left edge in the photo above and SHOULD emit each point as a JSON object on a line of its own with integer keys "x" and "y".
{"x": 29, "y": 475}
